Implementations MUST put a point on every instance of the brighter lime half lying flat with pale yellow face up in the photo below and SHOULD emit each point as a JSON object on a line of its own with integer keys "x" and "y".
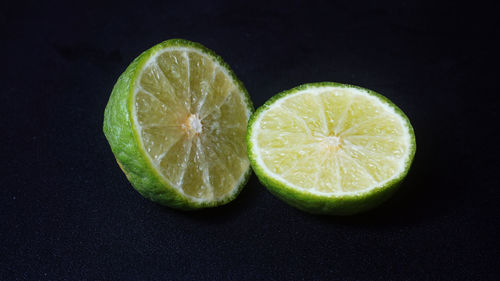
{"x": 330, "y": 148}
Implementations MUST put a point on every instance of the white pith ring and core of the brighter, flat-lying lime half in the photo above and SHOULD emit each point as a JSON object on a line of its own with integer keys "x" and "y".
{"x": 330, "y": 142}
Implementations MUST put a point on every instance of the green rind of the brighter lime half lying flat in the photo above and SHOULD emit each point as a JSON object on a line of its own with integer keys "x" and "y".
{"x": 346, "y": 204}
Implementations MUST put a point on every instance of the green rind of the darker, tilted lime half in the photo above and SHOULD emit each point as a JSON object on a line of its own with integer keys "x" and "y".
{"x": 125, "y": 140}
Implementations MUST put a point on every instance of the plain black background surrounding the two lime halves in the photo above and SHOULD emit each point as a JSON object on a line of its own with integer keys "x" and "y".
{"x": 68, "y": 213}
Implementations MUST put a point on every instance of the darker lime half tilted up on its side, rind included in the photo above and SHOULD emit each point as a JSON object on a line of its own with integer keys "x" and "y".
{"x": 176, "y": 122}
